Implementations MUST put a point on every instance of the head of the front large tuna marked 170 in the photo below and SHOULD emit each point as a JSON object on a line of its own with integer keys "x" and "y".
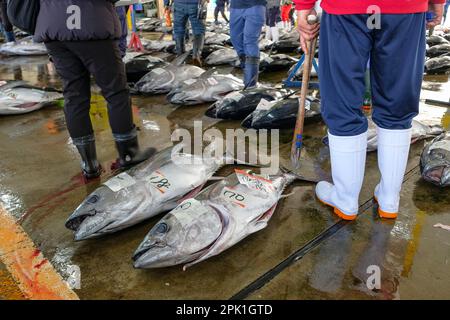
{"x": 180, "y": 237}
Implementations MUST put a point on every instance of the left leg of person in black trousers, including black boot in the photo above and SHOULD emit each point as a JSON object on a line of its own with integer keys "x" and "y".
{"x": 77, "y": 96}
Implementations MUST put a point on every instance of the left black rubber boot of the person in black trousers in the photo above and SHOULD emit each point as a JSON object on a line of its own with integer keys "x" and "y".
{"x": 89, "y": 164}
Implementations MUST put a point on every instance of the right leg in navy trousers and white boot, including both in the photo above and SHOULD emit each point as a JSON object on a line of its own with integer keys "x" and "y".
{"x": 395, "y": 99}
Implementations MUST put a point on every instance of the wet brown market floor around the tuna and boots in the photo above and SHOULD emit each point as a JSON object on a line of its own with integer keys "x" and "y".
{"x": 40, "y": 185}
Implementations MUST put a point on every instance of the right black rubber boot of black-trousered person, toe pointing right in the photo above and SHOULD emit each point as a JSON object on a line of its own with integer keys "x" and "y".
{"x": 129, "y": 151}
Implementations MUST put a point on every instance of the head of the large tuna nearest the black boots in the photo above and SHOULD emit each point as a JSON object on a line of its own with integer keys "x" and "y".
{"x": 105, "y": 211}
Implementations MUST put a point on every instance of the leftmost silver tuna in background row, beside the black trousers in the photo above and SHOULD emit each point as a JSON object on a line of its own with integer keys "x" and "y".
{"x": 162, "y": 80}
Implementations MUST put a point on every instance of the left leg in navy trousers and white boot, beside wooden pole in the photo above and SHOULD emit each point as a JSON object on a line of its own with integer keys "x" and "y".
{"x": 345, "y": 44}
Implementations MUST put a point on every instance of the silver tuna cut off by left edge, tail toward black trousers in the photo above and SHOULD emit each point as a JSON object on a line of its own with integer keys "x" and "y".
{"x": 17, "y": 97}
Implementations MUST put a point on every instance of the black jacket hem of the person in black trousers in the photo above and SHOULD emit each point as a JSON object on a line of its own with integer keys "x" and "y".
{"x": 98, "y": 20}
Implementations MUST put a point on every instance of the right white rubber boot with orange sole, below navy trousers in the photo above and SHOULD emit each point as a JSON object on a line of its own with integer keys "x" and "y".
{"x": 393, "y": 151}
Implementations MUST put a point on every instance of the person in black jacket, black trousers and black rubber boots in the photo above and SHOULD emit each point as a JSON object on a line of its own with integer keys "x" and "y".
{"x": 79, "y": 51}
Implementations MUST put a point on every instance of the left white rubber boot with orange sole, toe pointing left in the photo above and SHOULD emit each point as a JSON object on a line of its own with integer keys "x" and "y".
{"x": 348, "y": 161}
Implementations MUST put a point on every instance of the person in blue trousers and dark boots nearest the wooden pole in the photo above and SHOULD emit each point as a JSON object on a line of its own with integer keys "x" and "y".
{"x": 247, "y": 18}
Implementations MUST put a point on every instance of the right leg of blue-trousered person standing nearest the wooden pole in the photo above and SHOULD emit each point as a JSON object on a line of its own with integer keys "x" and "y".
{"x": 255, "y": 18}
